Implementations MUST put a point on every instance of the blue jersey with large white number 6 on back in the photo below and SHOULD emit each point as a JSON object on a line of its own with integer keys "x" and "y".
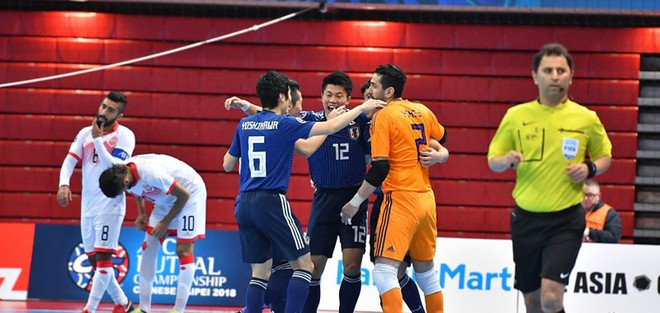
{"x": 264, "y": 143}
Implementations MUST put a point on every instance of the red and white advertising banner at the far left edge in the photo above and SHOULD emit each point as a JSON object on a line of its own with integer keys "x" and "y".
{"x": 16, "y": 247}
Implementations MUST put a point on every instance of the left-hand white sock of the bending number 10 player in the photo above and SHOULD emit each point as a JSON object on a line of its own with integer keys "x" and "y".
{"x": 151, "y": 247}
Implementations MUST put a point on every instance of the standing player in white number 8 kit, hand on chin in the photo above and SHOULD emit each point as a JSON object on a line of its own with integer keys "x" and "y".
{"x": 99, "y": 146}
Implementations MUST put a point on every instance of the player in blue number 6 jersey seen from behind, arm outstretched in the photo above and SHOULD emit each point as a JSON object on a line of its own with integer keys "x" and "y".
{"x": 264, "y": 143}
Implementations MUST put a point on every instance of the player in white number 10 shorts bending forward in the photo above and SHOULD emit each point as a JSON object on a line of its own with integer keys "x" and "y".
{"x": 179, "y": 197}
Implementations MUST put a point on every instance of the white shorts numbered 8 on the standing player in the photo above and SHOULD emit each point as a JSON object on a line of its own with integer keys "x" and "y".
{"x": 100, "y": 233}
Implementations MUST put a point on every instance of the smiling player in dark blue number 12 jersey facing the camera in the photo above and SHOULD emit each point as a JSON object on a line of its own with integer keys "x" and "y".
{"x": 337, "y": 169}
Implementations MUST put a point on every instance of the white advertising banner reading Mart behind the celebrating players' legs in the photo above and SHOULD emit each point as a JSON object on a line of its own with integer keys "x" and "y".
{"x": 475, "y": 275}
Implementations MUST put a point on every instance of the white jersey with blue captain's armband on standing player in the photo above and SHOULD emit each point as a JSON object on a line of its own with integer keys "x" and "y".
{"x": 120, "y": 143}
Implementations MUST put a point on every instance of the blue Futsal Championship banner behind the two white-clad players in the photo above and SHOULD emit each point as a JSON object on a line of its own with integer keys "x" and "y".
{"x": 220, "y": 277}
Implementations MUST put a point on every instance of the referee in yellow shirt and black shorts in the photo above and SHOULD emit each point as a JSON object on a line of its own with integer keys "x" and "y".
{"x": 546, "y": 142}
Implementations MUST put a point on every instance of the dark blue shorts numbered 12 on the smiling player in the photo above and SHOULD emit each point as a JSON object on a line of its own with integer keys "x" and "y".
{"x": 325, "y": 222}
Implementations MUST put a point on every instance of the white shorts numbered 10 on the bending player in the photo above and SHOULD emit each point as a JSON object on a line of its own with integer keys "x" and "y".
{"x": 190, "y": 224}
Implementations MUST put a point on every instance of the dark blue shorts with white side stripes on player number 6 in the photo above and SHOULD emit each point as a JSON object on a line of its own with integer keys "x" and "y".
{"x": 267, "y": 227}
